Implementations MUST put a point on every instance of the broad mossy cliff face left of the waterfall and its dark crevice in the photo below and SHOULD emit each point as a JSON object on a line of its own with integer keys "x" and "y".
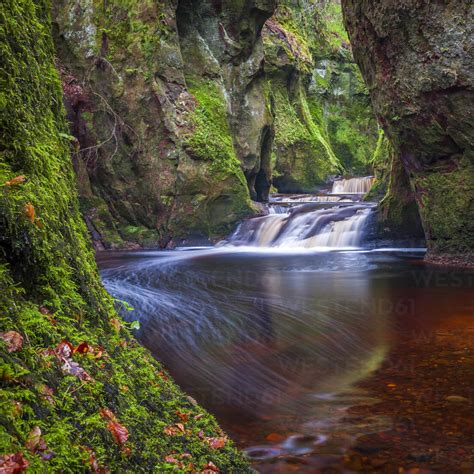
{"x": 166, "y": 101}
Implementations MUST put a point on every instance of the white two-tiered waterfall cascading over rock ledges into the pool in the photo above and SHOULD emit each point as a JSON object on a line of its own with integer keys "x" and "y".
{"x": 311, "y": 221}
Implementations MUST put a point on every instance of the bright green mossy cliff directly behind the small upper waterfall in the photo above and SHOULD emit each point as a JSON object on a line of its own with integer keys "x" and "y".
{"x": 324, "y": 124}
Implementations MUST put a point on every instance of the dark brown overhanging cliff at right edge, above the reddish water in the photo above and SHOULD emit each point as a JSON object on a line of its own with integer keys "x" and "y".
{"x": 417, "y": 59}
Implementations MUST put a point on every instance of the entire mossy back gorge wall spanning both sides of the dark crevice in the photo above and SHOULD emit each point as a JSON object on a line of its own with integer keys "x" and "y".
{"x": 186, "y": 112}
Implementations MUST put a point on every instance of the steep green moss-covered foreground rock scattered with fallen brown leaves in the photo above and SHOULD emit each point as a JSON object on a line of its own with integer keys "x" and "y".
{"x": 107, "y": 405}
